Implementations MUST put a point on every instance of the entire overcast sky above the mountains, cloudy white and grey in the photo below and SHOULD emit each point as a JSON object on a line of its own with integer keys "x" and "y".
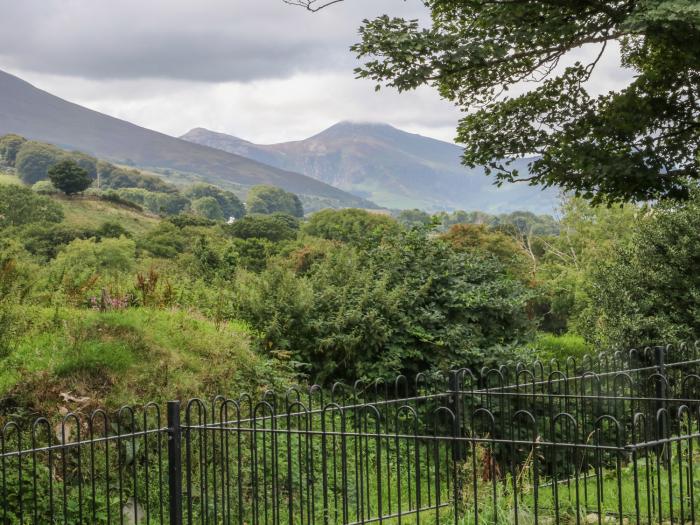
{"x": 258, "y": 69}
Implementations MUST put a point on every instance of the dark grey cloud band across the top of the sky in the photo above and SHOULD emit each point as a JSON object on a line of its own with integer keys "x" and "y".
{"x": 206, "y": 40}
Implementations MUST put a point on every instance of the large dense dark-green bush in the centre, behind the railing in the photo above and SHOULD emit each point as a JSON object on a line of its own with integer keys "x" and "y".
{"x": 408, "y": 304}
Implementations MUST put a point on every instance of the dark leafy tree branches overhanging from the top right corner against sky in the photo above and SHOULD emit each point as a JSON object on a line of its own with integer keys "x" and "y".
{"x": 636, "y": 143}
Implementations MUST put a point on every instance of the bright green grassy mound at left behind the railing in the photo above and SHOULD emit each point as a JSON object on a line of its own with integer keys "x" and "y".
{"x": 130, "y": 356}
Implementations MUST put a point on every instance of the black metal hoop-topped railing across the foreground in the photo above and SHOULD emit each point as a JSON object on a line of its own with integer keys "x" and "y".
{"x": 612, "y": 439}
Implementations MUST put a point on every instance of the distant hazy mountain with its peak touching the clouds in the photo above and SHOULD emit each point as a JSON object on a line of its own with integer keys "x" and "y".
{"x": 390, "y": 167}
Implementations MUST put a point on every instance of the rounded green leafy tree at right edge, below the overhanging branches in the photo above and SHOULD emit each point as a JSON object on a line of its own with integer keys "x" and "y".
{"x": 648, "y": 291}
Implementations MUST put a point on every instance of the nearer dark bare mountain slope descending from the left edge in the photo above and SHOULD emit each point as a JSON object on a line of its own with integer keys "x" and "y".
{"x": 38, "y": 115}
